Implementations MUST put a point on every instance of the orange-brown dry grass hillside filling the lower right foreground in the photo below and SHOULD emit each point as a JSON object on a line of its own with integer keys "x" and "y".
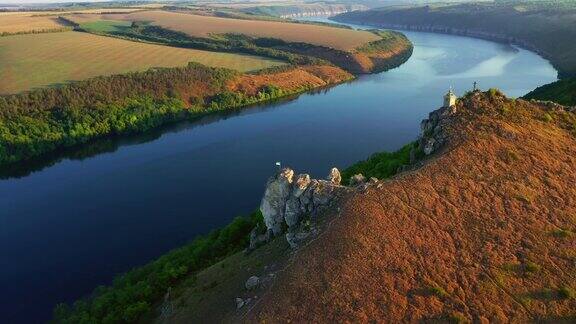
{"x": 482, "y": 232}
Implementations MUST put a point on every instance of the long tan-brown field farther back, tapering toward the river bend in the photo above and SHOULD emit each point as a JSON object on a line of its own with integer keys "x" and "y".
{"x": 205, "y": 26}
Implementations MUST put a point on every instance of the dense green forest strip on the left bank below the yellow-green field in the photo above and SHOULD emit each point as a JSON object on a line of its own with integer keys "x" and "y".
{"x": 34, "y": 123}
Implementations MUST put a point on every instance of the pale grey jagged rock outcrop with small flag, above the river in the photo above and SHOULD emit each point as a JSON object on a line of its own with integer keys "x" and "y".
{"x": 289, "y": 198}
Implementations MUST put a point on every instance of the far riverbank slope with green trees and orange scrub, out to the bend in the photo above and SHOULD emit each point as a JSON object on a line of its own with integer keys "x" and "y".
{"x": 35, "y": 123}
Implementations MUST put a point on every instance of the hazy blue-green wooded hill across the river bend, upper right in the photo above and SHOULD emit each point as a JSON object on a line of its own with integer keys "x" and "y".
{"x": 544, "y": 26}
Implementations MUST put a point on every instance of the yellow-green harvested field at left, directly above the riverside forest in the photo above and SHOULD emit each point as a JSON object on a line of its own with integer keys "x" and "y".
{"x": 41, "y": 60}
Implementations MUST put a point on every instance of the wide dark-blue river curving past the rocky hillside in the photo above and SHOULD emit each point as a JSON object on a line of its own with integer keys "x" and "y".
{"x": 71, "y": 222}
